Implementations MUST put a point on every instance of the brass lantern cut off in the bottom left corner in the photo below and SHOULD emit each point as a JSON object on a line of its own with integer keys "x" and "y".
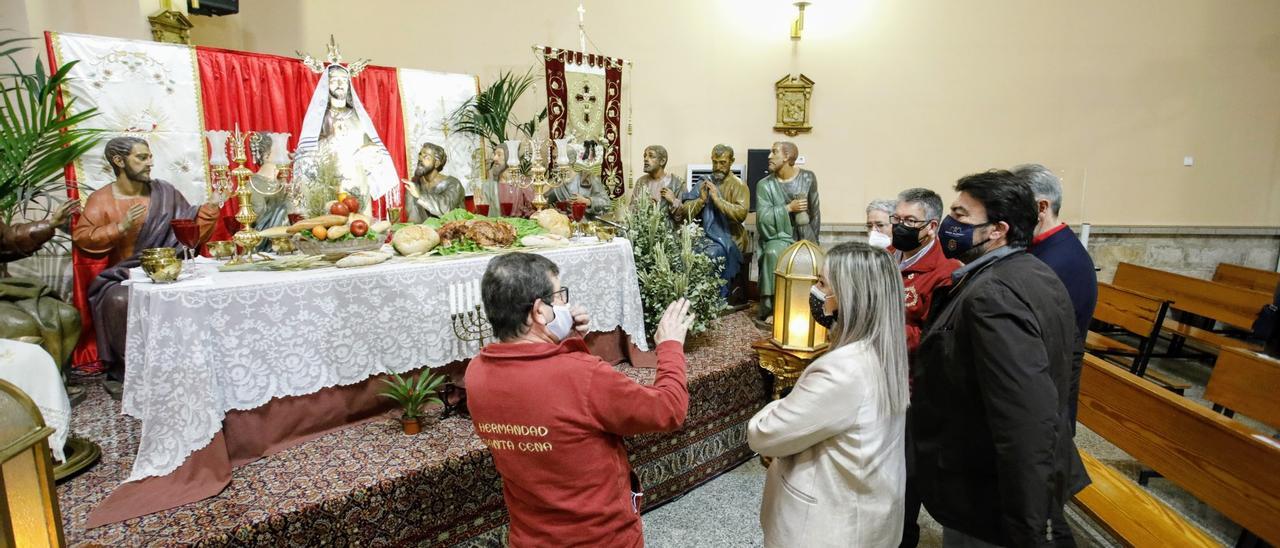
{"x": 29, "y": 503}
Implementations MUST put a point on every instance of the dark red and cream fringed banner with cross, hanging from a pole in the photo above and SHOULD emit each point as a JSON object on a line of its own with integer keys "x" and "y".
{"x": 584, "y": 98}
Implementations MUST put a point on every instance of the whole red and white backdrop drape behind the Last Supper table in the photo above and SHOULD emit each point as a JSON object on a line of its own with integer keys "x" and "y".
{"x": 171, "y": 95}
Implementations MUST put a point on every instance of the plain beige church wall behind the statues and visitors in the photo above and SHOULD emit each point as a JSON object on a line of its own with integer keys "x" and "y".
{"x": 1112, "y": 95}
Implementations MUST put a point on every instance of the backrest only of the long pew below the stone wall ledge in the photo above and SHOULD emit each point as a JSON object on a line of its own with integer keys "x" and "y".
{"x": 1229, "y": 305}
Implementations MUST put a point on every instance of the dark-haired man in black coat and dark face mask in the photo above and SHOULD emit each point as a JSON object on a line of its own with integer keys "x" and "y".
{"x": 991, "y": 417}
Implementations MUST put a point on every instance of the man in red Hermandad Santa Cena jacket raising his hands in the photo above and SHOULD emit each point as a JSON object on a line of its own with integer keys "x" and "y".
{"x": 554, "y": 415}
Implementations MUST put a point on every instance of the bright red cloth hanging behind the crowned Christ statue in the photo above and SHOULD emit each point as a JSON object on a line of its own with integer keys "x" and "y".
{"x": 259, "y": 93}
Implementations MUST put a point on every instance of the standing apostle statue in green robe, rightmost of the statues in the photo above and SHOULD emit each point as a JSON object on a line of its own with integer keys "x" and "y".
{"x": 787, "y": 211}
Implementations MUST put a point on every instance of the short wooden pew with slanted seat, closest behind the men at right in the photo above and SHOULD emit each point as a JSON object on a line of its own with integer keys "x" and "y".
{"x": 1139, "y": 314}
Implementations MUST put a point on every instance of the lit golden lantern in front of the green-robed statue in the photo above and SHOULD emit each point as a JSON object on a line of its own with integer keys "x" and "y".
{"x": 794, "y": 327}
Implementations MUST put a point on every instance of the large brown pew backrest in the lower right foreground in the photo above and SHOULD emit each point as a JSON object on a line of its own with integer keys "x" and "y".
{"x": 1220, "y": 462}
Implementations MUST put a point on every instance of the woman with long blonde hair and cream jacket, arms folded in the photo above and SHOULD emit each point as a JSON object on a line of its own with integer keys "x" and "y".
{"x": 838, "y": 440}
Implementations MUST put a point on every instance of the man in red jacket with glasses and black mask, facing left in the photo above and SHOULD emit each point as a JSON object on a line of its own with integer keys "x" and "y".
{"x": 925, "y": 271}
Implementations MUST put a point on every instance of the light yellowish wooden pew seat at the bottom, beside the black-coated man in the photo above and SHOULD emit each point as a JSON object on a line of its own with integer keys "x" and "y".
{"x": 1132, "y": 515}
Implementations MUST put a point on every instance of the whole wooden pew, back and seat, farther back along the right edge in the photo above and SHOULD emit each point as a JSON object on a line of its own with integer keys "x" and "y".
{"x": 1231, "y": 305}
